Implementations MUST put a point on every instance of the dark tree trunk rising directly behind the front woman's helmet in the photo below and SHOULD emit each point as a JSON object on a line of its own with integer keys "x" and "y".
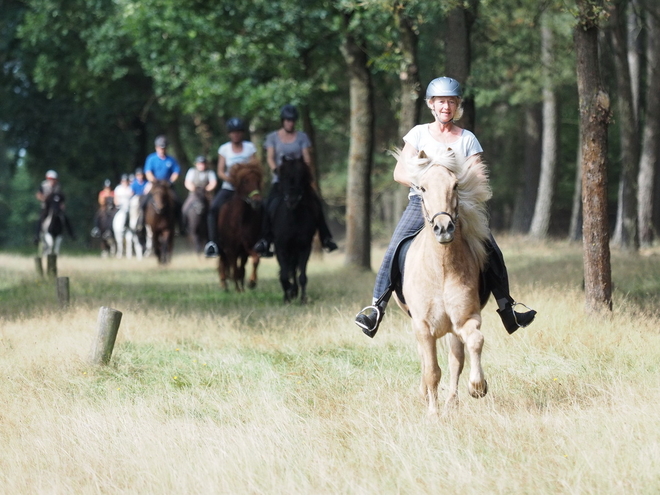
{"x": 458, "y": 56}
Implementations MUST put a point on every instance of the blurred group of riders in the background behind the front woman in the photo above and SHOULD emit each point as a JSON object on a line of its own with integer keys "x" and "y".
{"x": 160, "y": 166}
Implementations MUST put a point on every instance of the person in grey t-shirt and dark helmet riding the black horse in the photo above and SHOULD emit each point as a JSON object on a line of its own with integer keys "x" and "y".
{"x": 289, "y": 142}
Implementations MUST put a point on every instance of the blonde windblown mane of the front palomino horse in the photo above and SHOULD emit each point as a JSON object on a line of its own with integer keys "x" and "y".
{"x": 473, "y": 193}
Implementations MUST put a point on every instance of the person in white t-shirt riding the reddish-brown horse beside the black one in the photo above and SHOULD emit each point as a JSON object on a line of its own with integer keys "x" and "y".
{"x": 233, "y": 152}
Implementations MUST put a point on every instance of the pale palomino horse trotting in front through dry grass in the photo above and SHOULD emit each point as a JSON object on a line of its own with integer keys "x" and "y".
{"x": 442, "y": 269}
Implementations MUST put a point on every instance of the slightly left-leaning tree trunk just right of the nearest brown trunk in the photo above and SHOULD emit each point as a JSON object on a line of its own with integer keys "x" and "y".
{"x": 625, "y": 233}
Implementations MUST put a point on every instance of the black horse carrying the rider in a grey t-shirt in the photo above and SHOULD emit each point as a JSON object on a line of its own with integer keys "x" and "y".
{"x": 294, "y": 225}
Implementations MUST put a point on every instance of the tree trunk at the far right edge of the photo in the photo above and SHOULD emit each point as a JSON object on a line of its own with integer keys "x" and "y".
{"x": 651, "y": 137}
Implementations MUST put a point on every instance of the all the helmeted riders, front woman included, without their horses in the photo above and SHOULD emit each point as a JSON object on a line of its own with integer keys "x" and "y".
{"x": 443, "y": 97}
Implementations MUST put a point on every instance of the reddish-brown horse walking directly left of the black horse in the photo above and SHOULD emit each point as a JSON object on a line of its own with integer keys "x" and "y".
{"x": 239, "y": 226}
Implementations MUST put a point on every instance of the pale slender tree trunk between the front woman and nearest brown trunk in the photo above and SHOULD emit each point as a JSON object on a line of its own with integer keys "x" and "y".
{"x": 543, "y": 208}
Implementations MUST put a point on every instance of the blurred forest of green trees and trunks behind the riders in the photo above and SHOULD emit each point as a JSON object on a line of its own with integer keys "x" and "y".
{"x": 86, "y": 85}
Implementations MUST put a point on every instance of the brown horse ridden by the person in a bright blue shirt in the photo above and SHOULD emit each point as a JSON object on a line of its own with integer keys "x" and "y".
{"x": 159, "y": 219}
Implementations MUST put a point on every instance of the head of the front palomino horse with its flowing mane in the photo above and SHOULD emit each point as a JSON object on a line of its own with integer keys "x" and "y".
{"x": 448, "y": 186}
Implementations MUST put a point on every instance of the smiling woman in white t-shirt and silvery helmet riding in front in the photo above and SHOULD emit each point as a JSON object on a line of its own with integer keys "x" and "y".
{"x": 443, "y": 98}
